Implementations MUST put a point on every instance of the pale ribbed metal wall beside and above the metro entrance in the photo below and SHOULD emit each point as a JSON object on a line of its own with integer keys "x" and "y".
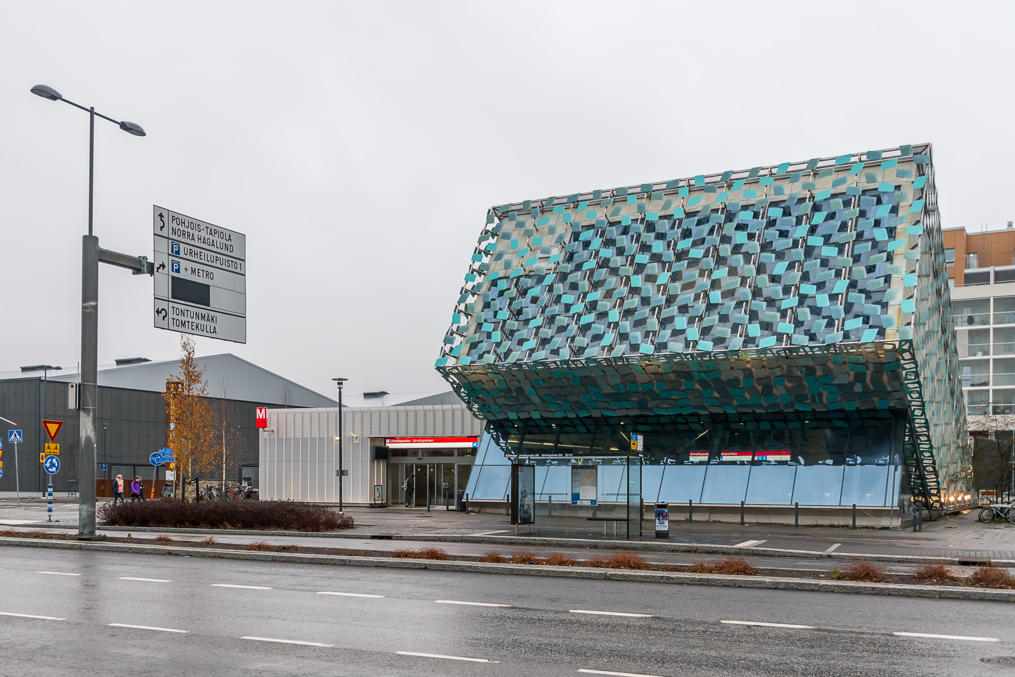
{"x": 299, "y": 452}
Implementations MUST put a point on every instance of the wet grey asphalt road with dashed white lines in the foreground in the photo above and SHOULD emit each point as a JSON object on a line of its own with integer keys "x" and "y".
{"x": 76, "y": 613}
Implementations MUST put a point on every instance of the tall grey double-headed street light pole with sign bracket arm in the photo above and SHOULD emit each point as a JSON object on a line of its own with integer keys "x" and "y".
{"x": 91, "y": 256}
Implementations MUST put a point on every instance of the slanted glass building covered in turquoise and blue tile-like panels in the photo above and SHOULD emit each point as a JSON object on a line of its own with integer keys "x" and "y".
{"x": 780, "y": 335}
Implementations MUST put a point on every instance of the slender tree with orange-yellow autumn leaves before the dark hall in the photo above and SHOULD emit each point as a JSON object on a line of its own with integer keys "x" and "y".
{"x": 192, "y": 434}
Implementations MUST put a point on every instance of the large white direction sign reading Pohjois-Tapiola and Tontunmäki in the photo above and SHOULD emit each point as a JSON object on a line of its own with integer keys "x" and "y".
{"x": 200, "y": 273}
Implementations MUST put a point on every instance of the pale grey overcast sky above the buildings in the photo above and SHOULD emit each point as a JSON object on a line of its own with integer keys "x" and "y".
{"x": 359, "y": 145}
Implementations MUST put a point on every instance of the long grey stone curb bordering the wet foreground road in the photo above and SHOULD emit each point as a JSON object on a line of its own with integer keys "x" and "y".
{"x": 673, "y": 578}
